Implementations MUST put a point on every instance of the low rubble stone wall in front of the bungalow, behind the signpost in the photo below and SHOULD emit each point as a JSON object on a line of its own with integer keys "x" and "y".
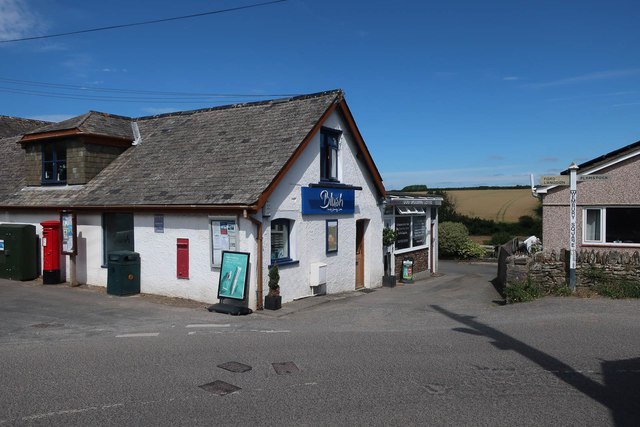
{"x": 550, "y": 269}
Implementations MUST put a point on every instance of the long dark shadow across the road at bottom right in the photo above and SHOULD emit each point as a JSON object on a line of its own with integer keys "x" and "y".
{"x": 620, "y": 392}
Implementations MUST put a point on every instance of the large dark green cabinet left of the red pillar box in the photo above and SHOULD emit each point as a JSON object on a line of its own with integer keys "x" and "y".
{"x": 18, "y": 252}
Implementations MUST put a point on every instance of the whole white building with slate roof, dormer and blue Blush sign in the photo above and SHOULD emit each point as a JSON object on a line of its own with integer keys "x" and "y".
{"x": 288, "y": 181}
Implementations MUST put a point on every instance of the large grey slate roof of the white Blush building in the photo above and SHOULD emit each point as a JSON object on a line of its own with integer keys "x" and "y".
{"x": 212, "y": 157}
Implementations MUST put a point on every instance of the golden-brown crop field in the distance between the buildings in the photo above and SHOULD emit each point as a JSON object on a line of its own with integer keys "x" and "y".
{"x": 500, "y": 205}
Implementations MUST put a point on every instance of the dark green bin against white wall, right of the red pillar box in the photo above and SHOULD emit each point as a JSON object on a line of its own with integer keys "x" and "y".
{"x": 124, "y": 273}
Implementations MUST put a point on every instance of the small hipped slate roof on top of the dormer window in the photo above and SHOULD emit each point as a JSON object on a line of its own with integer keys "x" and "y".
{"x": 94, "y": 123}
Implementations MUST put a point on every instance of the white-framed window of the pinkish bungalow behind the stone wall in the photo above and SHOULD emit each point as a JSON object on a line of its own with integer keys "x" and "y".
{"x": 615, "y": 225}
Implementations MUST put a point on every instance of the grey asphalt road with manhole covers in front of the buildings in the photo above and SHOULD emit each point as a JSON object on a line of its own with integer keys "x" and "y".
{"x": 438, "y": 352}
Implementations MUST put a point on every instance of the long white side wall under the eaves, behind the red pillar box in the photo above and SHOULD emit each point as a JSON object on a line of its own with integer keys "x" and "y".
{"x": 158, "y": 252}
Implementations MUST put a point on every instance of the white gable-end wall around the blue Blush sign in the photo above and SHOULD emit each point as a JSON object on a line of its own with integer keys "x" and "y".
{"x": 308, "y": 234}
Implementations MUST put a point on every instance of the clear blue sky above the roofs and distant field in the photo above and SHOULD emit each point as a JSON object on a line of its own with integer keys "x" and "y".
{"x": 447, "y": 94}
